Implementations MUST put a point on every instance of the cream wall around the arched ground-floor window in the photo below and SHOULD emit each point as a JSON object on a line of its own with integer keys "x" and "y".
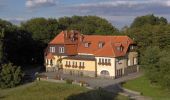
{"x": 109, "y": 68}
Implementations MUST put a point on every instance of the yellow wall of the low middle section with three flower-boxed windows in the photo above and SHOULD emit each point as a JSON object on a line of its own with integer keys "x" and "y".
{"x": 88, "y": 70}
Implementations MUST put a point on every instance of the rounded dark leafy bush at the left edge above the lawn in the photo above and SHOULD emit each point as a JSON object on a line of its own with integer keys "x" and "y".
{"x": 10, "y": 76}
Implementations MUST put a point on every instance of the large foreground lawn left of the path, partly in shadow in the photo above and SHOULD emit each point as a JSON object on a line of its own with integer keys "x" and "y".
{"x": 55, "y": 91}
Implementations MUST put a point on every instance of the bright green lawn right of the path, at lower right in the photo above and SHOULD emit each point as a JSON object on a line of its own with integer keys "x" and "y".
{"x": 143, "y": 85}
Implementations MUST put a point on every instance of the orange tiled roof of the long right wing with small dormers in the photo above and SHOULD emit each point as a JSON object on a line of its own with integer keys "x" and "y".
{"x": 109, "y": 48}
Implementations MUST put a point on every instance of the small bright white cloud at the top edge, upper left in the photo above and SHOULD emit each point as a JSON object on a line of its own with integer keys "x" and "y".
{"x": 39, "y": 3}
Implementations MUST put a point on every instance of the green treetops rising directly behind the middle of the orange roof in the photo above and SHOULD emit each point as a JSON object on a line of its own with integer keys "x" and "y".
{"x": 88, "y": 25}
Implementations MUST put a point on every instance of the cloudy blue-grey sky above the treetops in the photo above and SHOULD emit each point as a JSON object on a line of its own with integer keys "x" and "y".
{"x": 117, "y": 12}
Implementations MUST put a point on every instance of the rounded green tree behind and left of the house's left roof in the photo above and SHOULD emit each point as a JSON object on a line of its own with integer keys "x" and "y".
{"x": 41, "y": 29}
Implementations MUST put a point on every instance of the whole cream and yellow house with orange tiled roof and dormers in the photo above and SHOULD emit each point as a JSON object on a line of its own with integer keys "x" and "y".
{"x": 91, "y": 55}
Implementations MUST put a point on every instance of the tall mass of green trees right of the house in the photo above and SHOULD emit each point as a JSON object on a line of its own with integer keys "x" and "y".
{"x": 152, "y": 35}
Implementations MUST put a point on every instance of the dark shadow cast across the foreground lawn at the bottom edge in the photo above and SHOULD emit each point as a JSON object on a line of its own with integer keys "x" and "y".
{"x": 98, "y": 94}
